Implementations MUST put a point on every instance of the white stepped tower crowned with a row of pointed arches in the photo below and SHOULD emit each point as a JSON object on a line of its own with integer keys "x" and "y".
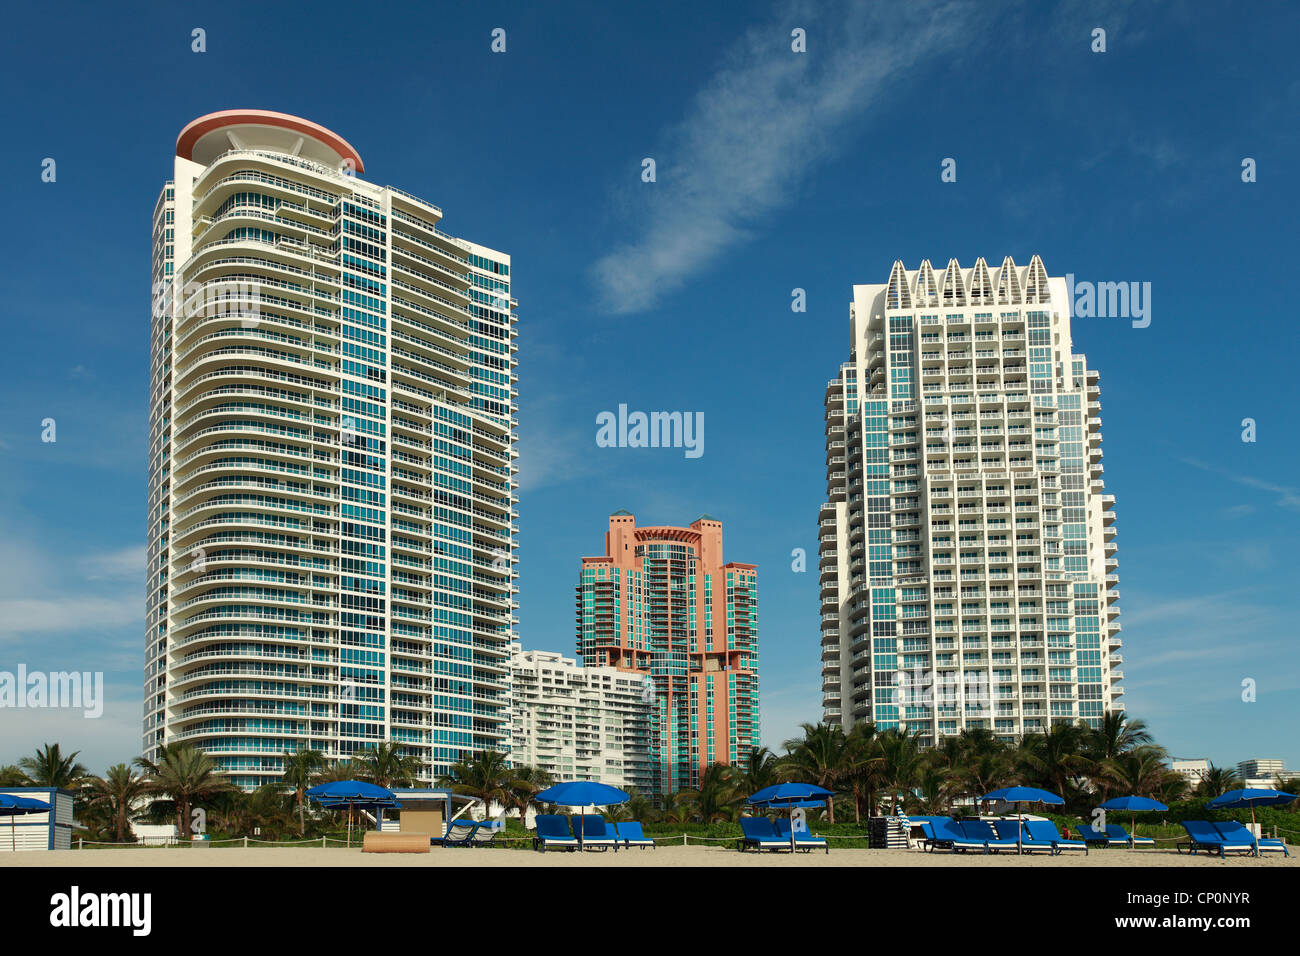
{"x": 968, "y": 555}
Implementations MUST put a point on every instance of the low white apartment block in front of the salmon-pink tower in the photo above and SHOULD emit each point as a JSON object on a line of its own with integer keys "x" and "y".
{"x": 580, "y": 724}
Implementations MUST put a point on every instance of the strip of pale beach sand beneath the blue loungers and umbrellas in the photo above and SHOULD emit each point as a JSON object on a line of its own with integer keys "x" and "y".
{"x": 695, "y": 855}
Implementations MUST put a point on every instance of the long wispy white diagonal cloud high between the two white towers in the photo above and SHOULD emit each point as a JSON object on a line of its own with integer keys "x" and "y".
{"x": 765, "y": 120}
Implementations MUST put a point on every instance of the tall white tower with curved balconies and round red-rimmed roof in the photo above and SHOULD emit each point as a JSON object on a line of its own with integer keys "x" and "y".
{"x": 332, "y": 481}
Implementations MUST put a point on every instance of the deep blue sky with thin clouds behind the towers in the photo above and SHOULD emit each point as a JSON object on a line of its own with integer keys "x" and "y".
{"x": 774, "y": 171}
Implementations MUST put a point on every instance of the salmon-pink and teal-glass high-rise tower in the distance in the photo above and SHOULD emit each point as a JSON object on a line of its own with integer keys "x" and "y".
{"x": 661, "y": 603}
